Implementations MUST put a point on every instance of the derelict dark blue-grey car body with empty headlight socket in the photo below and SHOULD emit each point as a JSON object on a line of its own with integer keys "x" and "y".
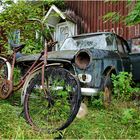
{"x": 91, "y": 57}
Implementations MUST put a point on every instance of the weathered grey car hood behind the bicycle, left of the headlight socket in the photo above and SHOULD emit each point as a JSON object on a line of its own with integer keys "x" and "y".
{"x": 65, "y": 55}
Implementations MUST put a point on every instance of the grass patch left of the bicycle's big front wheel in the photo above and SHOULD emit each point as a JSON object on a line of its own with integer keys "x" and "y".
{"x": 13, "y": 124}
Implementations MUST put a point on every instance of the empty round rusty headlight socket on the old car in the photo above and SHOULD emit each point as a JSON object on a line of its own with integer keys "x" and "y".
{"x": 83, "y": 59}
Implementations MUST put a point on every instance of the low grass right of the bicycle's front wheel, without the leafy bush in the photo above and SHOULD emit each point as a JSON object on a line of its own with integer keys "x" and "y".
{"x": 120, "y": 121}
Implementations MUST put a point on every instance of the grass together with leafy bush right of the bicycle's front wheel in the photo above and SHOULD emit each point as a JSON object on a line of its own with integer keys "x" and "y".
{"x": 120, "y": 121}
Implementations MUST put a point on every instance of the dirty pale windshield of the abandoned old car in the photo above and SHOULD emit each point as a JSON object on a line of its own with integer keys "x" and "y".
{"x": 101, "y": 41}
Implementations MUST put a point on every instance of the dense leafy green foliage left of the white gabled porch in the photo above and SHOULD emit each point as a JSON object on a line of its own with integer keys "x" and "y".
{"x": 15, "y": 17}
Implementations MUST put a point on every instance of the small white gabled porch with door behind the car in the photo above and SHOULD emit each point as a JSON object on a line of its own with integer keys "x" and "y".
{"x": 61, "y": 23}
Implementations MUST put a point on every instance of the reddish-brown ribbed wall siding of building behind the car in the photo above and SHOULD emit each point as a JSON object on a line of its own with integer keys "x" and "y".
{"x": 91, "y": 13}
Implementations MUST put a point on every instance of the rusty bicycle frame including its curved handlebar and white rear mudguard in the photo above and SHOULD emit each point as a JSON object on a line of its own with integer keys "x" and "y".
{"x": 36, "y": 65}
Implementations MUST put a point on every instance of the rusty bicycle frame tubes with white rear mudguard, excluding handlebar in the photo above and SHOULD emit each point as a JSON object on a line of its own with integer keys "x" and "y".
{"x": 33, "y": 67}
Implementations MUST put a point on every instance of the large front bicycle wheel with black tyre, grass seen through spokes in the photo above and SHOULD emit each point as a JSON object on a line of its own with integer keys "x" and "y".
{"x": 57, "y": 109}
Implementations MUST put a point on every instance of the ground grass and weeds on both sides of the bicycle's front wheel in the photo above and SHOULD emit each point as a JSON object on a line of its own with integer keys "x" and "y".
{"x": 120, "y": 121}
